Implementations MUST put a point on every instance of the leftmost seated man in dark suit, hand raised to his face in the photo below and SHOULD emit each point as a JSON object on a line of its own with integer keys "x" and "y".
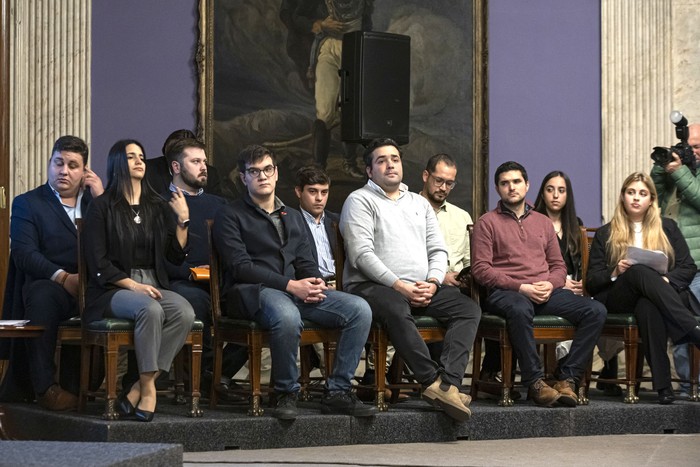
{"x": 43, "y": 278}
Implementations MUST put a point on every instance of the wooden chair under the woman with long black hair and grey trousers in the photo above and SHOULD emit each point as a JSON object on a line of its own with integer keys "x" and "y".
{"x": 112, "y": 335}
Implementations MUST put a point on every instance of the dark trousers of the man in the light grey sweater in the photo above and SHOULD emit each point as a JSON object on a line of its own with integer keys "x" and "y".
{"x": 459, "y": 312}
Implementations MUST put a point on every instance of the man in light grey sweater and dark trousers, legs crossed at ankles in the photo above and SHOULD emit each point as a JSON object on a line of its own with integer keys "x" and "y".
{"x": 396, "y": 260}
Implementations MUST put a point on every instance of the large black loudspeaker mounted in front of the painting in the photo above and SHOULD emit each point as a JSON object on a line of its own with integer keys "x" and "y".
{"x": 375, "y": 86}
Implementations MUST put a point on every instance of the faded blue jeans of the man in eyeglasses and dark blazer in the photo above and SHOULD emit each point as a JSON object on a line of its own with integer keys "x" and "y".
{"x": 282, "y": 314}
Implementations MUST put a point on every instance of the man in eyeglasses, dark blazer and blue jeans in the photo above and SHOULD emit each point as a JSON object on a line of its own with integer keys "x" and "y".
{"x": 270, "y": 276}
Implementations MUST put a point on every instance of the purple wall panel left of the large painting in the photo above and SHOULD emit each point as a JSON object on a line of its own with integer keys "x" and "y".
{"x": 143, "y": 73}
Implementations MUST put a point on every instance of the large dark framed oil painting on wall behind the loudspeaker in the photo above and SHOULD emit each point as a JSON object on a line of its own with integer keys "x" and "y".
{"x": 255, "y": 88}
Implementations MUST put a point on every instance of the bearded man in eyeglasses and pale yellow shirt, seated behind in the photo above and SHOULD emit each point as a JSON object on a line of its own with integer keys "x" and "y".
{"x": 439, "y": 178}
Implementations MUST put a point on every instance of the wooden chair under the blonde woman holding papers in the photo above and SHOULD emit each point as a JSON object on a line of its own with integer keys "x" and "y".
{"x": 623, "y": 326}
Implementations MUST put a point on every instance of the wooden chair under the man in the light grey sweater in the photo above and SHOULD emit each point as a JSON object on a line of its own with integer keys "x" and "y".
{"x": 429, "y": 328}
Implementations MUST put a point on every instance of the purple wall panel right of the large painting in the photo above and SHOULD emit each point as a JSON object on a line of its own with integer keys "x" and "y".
{"x": 544, "y": 94}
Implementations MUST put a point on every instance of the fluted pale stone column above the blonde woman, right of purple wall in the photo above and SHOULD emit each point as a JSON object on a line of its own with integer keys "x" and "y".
{"x": 637, "y": 92}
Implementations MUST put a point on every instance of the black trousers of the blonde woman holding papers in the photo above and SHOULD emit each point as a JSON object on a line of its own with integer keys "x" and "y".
{"x": 660, "y": 311}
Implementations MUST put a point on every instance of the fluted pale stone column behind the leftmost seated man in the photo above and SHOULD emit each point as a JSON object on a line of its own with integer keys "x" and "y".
{"x": 50, "y": 81}
